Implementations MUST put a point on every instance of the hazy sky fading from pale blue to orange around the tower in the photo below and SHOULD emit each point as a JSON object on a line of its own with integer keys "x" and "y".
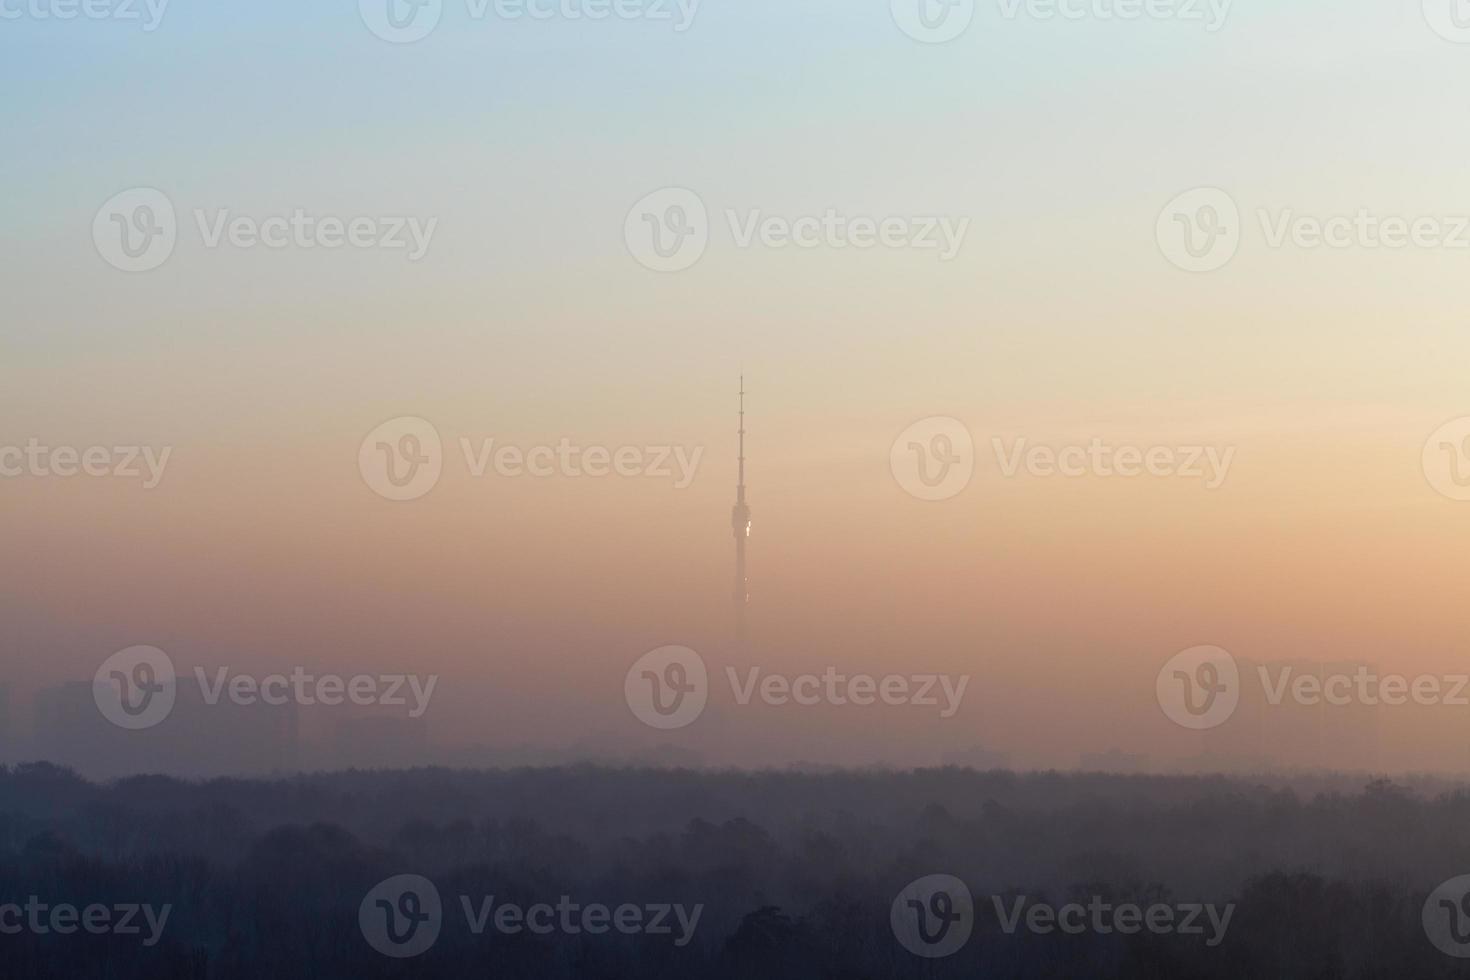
{"x": 533, "y": 318}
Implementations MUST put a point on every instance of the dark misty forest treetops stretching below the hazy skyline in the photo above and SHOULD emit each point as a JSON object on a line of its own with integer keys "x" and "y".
{"x": 796, "y": 872}
